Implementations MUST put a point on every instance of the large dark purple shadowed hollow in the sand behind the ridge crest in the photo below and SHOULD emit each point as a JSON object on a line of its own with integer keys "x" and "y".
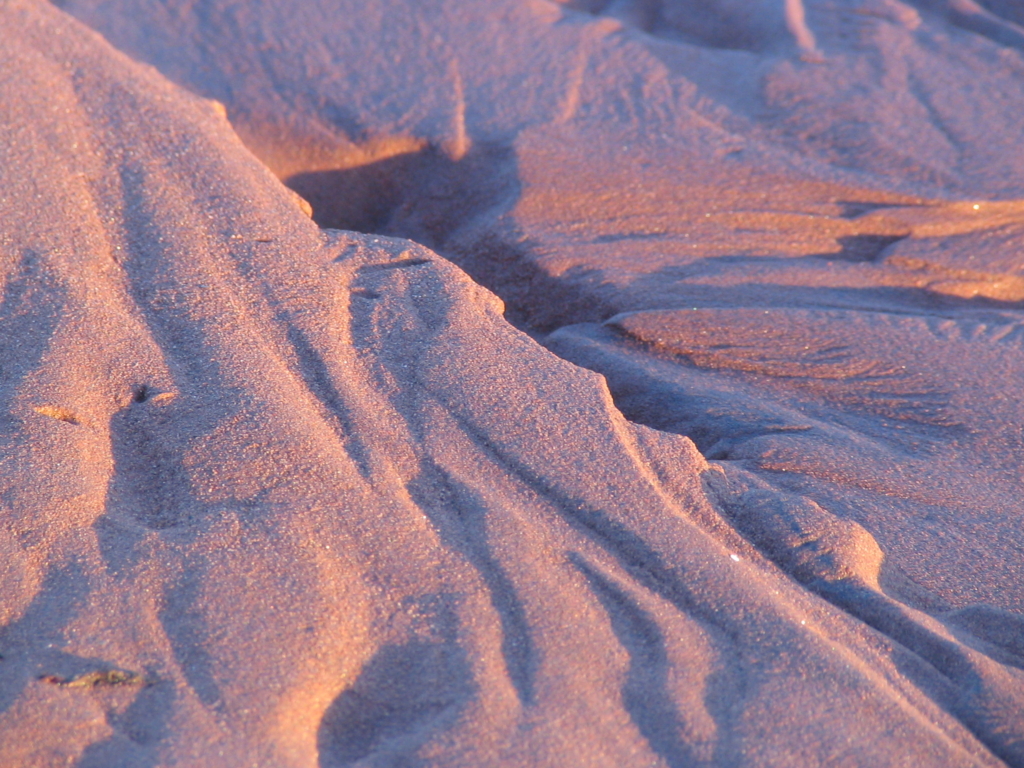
{"x": 429, "y": 198}
